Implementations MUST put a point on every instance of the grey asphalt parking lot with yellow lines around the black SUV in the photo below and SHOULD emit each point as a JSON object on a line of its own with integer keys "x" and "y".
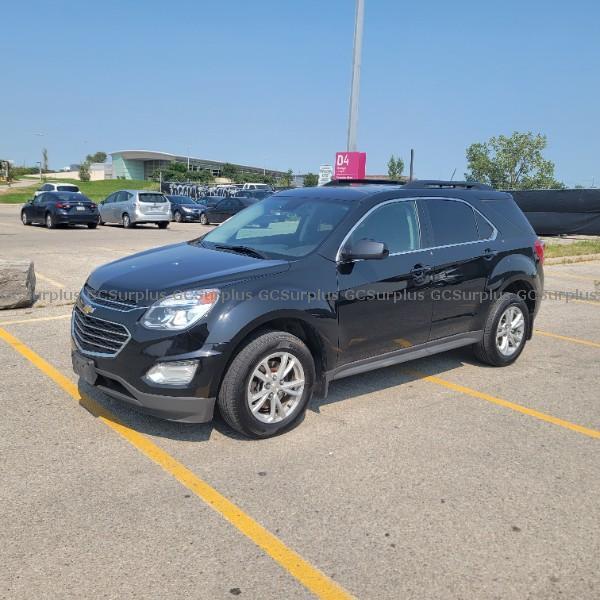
{"x": 441, "y": 478}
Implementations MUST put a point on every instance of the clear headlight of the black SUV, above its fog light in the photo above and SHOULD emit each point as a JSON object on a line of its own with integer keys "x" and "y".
{"x": 180, "y": 311}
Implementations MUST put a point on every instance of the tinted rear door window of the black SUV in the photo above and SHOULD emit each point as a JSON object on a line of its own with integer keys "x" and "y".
{"x": 452, "y": 222}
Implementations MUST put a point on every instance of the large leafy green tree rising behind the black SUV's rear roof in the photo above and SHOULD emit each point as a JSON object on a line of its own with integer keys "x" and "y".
{"x": 512, "y": 163}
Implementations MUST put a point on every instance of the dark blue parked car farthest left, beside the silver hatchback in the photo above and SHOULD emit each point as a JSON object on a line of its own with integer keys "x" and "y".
{"x": 60, "y": 208}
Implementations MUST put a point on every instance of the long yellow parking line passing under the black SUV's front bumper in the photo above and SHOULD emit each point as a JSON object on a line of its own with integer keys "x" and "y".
{"x": 309, "y": 576}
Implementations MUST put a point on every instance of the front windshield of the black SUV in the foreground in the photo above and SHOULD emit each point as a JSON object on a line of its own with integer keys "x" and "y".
{"x": 280, "y": 226}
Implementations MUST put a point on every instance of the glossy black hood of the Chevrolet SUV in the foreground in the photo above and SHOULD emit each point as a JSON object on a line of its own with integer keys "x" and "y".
{"x": 179, "y": 267}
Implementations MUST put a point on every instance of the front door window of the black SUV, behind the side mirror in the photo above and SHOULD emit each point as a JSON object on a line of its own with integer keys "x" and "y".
{"x": 394, "y": 224}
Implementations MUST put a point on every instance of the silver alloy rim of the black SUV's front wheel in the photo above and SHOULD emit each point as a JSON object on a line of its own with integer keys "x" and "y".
{"x": 275, "y": 388}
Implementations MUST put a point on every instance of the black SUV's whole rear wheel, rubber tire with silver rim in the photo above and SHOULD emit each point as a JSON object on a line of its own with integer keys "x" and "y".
{"x": 489, "y": 349}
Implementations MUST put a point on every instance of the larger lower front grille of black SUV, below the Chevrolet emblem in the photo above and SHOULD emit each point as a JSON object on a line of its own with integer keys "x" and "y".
{"x": 98, "y": 336}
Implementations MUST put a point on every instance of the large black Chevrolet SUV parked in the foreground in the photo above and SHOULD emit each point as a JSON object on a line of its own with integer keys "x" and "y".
{"x": 305, "y": 287}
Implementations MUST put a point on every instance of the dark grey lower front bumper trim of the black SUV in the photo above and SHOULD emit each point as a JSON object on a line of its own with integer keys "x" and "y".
{"x": 184, "y": 409}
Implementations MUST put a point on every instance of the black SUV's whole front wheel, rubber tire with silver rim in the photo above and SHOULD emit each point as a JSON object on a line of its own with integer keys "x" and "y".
{"x": 240, "y": 380}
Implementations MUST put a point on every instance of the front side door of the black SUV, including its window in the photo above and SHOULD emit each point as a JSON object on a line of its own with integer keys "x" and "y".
{"x": 385, "y": 305}
